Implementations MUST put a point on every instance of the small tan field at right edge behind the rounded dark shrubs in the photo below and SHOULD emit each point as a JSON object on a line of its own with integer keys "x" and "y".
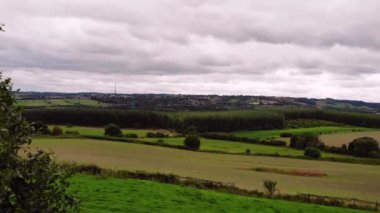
{"x": 345, "y": 138}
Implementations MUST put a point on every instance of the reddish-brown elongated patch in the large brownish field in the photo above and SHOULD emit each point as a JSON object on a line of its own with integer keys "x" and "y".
{"x": 294, "y": 172}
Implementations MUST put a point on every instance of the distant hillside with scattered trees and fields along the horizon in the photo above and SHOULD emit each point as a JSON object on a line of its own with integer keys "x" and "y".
{"x": 173, "y": 102}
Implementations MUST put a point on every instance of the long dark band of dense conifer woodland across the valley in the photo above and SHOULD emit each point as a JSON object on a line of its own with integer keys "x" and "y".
{"x": 218, "y": 121}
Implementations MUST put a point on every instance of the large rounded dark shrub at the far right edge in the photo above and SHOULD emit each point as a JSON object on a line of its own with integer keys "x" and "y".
{"x": 361, "y": 147}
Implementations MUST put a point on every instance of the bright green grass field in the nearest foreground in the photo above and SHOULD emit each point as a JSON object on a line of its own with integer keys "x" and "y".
{"x": 116, "y": 195}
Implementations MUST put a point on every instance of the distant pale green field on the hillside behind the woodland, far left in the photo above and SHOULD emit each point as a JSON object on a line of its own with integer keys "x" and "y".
{"x": 59, "y": 102}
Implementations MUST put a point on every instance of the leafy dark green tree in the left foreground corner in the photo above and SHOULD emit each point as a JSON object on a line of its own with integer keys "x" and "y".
{"x": 31, "y": 181}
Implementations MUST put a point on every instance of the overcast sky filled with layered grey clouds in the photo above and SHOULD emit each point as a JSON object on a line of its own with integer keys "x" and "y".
{"x": 301, "y": 48}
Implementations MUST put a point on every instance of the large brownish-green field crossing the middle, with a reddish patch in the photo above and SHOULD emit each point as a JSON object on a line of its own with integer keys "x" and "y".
{"x": 343, "y": 179}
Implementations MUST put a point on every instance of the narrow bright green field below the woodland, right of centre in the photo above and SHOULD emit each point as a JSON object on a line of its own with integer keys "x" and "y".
{"x": 314, "y": 130}
